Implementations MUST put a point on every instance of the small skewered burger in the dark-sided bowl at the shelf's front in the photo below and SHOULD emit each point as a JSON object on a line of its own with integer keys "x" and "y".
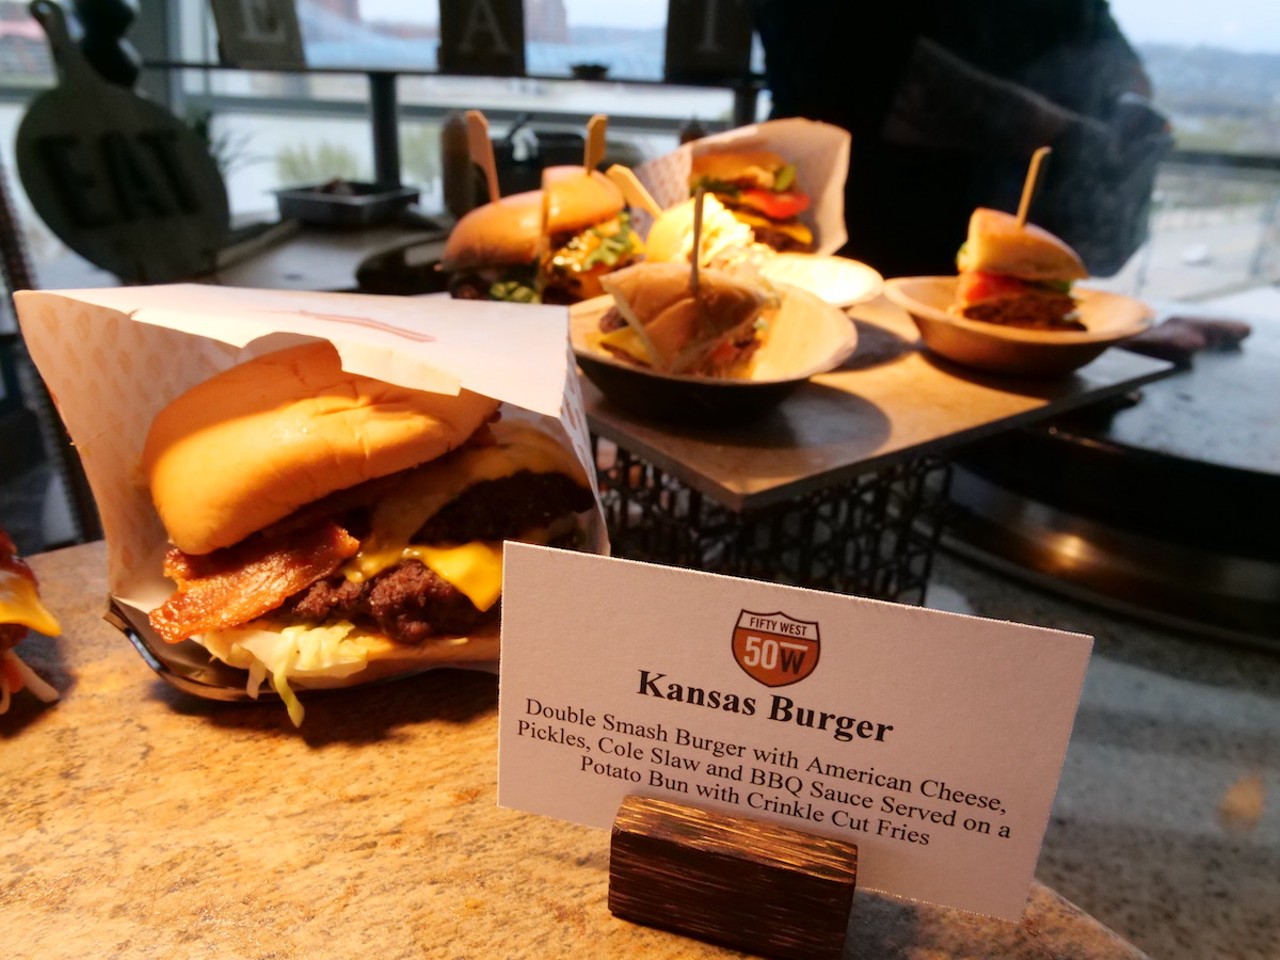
{"x": 661, "y": 322}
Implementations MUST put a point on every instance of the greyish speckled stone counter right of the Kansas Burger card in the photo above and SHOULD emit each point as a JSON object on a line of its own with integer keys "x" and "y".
{"x": 1167, "y": 824}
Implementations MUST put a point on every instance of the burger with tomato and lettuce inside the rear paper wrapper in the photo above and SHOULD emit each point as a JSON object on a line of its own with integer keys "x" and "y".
{"x": 760, "y": 189}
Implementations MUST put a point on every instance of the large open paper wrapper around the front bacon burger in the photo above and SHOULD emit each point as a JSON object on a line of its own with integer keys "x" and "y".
{"x": 115, "y": 358}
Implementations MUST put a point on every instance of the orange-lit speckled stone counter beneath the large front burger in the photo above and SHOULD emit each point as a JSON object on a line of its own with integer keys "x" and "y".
{"x": 144, "y": 824}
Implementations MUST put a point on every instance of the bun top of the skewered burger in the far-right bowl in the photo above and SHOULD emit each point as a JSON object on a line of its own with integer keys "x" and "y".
{"x": 999, "y": 245}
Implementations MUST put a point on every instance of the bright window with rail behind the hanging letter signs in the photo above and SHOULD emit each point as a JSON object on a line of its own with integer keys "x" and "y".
{"x": 280, "y": 130}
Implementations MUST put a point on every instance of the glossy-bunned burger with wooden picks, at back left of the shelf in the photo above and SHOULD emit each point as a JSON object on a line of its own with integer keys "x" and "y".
{"x": 500, "y": 252}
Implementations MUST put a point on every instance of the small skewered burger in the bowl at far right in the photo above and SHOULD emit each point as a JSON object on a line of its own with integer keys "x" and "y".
{"x": 1017, "y": 275}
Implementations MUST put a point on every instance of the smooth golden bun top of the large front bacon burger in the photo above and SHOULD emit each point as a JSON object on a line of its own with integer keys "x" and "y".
{"x": 254, "y": 444}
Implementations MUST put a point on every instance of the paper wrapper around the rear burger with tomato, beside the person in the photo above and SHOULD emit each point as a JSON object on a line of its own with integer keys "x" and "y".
{"x": 819, "y": 150}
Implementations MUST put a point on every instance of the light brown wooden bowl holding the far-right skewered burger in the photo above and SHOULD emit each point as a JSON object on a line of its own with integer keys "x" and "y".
{"x": 1109, "y": 319}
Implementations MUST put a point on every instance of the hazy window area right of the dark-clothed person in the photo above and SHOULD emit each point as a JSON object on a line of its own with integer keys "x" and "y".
{"x": 1217, "y": 221}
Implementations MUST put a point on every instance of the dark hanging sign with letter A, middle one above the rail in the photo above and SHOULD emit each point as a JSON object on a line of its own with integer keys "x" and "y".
{"x": 483, "y": 38}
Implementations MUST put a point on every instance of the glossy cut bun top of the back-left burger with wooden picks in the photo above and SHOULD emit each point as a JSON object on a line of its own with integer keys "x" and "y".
{"x": 509, "y": 231}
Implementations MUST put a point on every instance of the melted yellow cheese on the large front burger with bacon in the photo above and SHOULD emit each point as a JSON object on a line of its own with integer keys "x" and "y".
{"x": 474, "y": 569}
